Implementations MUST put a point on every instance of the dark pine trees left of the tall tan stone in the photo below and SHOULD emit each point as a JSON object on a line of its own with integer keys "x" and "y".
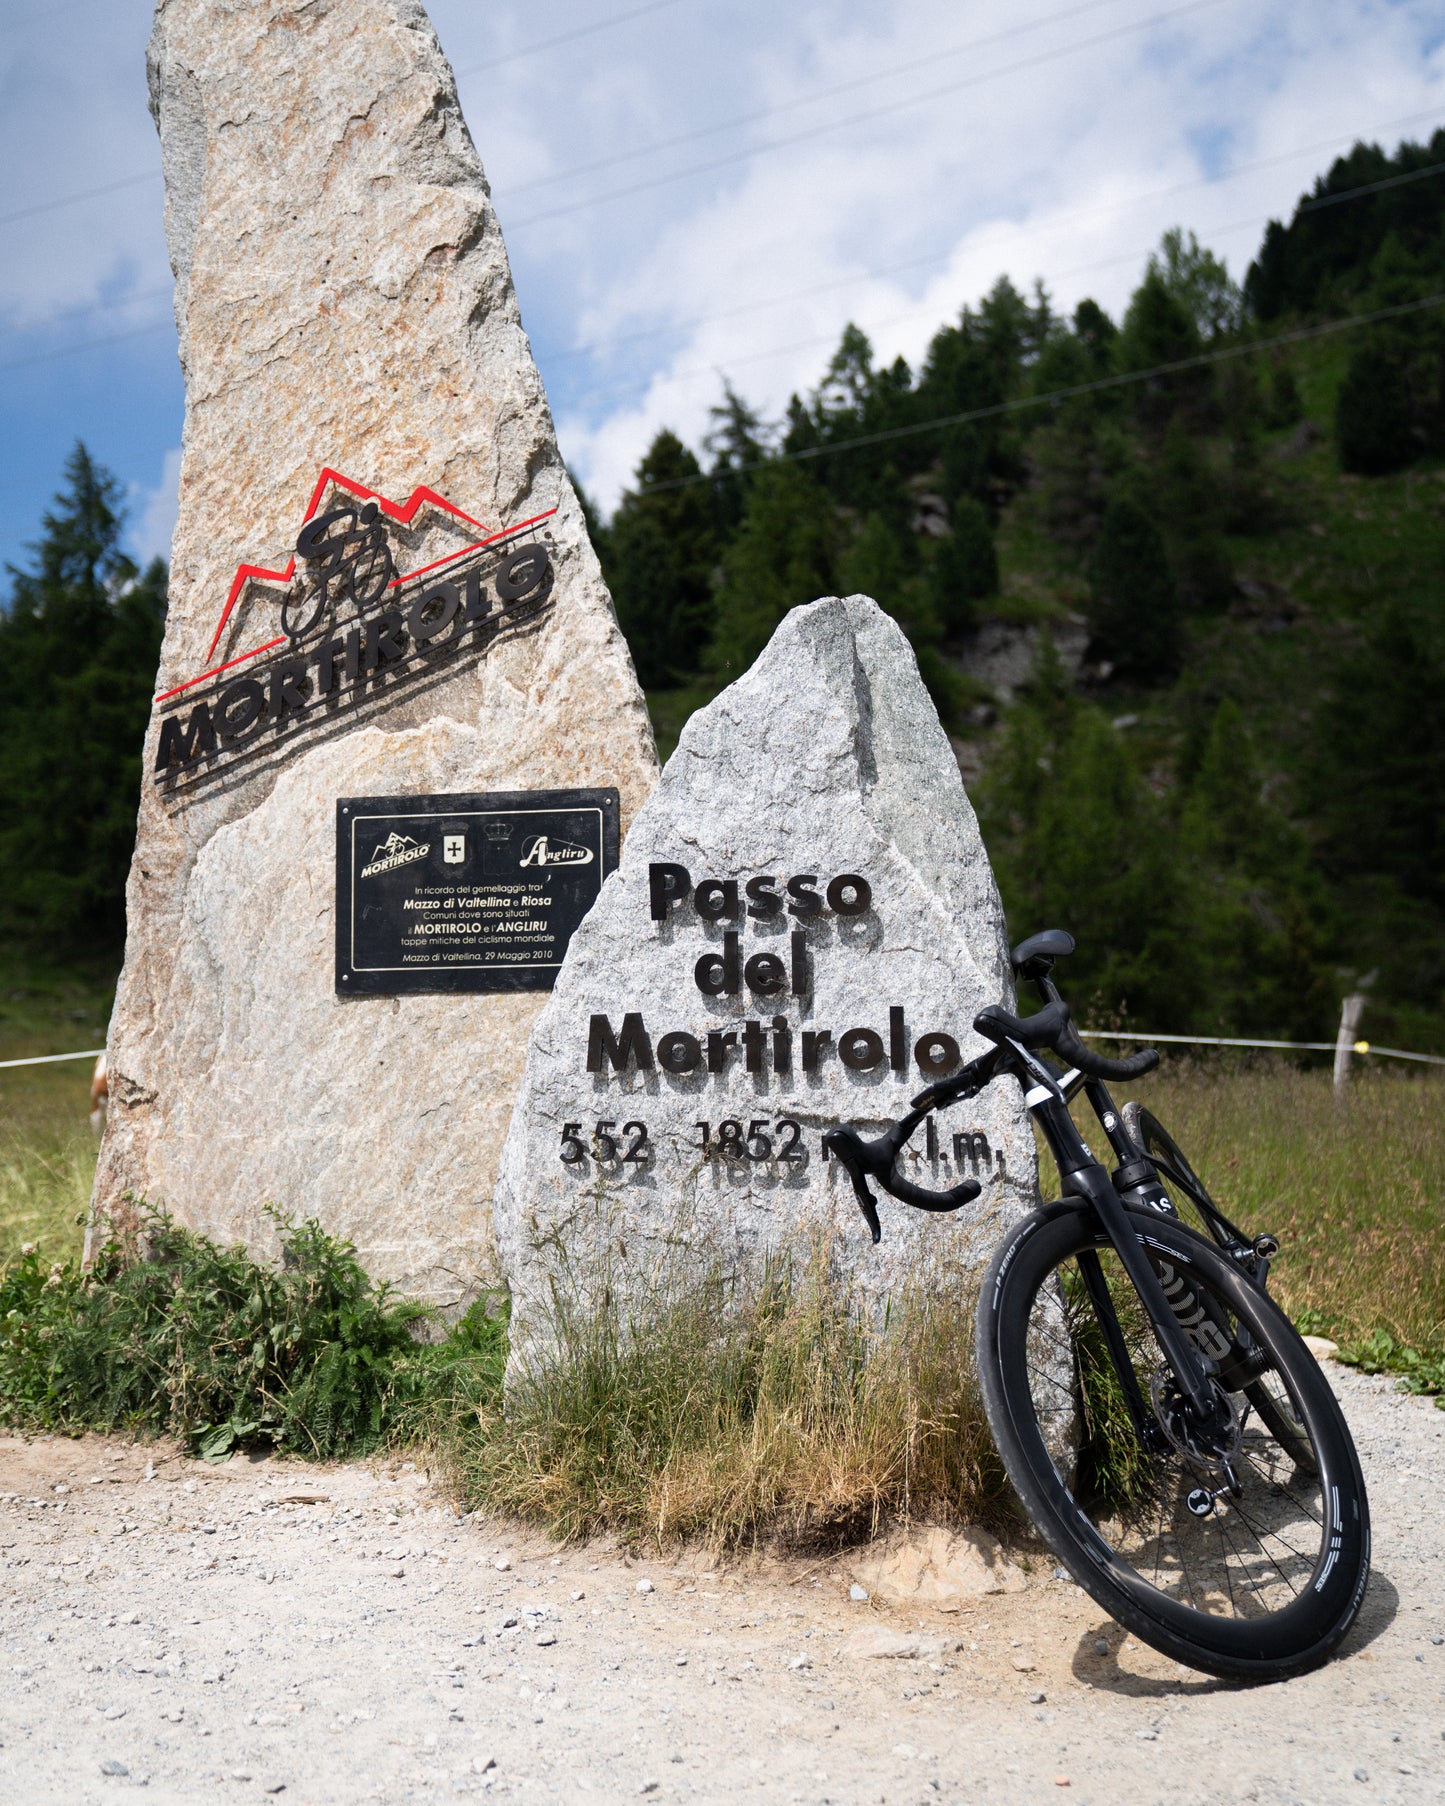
{"x": 79, "y": 653}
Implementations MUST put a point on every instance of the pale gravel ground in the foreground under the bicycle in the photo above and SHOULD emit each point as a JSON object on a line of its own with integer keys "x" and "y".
{"x": 277, "y": 1632}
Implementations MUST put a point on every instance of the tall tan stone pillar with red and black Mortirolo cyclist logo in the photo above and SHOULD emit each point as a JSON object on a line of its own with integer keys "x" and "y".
{"x": 382, "y": 588}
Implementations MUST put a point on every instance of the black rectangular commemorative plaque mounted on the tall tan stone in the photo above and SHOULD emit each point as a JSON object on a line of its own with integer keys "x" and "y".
{"x": 467, "y": 893}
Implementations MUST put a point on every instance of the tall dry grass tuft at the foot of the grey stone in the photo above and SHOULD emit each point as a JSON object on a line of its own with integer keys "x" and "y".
{"x": 779, "y": 1417}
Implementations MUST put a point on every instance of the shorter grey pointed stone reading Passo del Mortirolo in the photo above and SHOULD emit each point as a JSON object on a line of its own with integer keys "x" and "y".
{"x": 799, "y": 935}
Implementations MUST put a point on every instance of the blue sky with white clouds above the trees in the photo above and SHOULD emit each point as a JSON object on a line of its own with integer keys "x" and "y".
{"x": 705, "y": 189}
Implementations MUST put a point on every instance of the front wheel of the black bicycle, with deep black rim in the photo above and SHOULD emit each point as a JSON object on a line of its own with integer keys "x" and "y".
{"x": 1207, "y": 1603}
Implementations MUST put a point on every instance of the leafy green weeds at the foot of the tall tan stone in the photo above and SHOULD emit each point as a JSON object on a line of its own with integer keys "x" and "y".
{"x": 169, "y": 1334}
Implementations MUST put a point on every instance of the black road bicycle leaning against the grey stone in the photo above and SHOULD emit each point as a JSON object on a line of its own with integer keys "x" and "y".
{"x": 1161, "y": 1419}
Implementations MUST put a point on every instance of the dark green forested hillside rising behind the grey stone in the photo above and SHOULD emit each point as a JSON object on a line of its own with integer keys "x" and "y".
{"x": 1177, "y": 584}
